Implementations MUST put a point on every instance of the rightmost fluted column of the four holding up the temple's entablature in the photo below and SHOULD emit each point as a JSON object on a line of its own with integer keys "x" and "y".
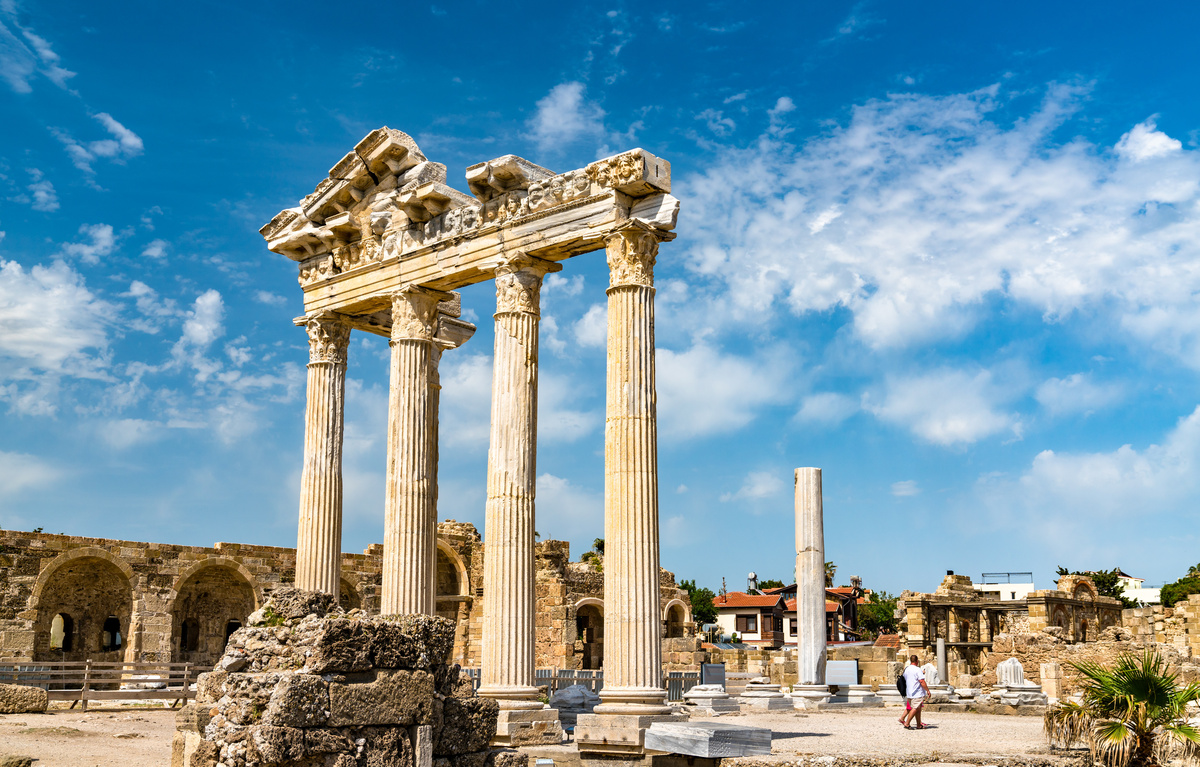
{"x": 633, "y": 663}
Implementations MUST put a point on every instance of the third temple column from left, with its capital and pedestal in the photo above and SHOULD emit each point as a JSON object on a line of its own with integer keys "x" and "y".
{"x": 508, "y": 663}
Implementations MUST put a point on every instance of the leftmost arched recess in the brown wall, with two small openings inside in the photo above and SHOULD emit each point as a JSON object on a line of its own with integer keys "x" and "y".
{"x": 93, "y": 592}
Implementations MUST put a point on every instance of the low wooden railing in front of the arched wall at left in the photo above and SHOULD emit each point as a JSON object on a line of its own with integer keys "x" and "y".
{"x": 83, "y": 681}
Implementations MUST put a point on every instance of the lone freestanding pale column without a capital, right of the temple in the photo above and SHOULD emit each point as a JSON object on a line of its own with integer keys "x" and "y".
{"x": 811, "y": 574}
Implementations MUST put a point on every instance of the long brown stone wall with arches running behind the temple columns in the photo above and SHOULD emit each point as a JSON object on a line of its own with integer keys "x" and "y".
{"x": 69, "y": 598}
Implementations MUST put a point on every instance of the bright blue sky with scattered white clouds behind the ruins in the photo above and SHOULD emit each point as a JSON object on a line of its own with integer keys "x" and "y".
{"x": 949, "y": 254}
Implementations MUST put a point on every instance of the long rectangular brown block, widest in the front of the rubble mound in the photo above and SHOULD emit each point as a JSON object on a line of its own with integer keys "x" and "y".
{"x": 391, "y": 698}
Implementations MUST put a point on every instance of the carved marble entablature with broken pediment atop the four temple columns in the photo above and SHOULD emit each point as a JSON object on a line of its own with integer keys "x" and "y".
{"x": 386, "y": 218}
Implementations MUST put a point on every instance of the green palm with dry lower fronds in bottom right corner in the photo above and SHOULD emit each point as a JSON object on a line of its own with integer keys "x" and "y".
{"x": 1132, "y": 715}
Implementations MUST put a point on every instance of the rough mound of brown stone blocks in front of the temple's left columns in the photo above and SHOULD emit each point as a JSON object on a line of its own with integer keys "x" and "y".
{"x": 305, "y": 688}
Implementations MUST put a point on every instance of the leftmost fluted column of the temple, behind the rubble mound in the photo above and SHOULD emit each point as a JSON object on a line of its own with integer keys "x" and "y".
{"x": 320, "y": 538}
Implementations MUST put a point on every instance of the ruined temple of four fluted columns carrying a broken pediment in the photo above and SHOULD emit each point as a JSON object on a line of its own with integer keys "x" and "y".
{"x": 382, "y": 244}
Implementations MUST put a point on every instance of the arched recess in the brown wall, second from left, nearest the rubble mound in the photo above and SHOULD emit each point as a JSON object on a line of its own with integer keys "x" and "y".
{"x": 212, "y": 601}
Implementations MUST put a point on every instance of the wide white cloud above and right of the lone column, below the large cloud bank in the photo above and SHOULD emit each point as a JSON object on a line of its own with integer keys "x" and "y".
{"x": 946, "y": 408}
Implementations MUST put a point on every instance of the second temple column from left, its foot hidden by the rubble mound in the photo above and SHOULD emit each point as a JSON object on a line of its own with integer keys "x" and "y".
{"x": 410, "y": 544}
